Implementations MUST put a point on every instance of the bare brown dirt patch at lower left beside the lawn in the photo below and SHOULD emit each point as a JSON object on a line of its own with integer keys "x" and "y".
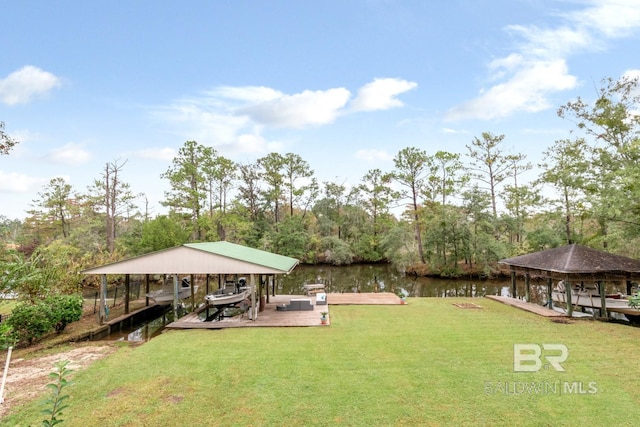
{"x": 27, "y": 377}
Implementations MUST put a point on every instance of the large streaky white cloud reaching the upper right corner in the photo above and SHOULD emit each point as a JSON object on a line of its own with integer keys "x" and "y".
{"x": 524, "y": 79}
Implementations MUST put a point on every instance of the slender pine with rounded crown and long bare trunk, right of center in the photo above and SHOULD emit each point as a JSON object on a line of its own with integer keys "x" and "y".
{"x": 411, "y": 167}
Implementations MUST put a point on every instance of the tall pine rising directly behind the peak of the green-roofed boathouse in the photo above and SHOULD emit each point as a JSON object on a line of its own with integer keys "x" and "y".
{"x": 188, "y": 183}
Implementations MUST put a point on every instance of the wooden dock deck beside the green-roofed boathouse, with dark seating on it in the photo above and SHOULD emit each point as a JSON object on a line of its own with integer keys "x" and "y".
{"x": 271, "y": 317}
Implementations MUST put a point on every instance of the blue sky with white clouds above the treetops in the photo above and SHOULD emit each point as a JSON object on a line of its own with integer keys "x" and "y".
{"x": 344, "y": 84}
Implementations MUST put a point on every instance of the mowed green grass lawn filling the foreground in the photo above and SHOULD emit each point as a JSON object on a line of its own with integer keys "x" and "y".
{"x": 425, "y": 363}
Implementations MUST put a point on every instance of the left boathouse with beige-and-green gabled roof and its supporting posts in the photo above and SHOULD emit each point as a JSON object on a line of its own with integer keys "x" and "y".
{"x": 209, "y": 258}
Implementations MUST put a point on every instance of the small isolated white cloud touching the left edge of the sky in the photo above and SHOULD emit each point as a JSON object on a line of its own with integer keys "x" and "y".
{"x": 23, "y": 85}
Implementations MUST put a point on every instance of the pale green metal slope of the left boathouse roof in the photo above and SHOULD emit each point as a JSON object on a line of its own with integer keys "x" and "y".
{"x": 246, "y": 254}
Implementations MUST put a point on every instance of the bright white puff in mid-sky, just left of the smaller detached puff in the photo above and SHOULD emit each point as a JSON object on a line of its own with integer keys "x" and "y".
{"x": 299, "y": 110}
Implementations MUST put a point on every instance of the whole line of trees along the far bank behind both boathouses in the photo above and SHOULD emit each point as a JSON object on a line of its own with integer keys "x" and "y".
{"x": 439, "y": 213}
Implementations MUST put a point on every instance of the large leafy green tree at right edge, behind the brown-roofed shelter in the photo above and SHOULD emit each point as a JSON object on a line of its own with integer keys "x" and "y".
{"x": 612, "y": 122}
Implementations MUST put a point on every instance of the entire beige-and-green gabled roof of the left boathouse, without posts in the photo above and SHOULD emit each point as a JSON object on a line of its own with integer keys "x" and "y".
{"x": 202, "y": 258}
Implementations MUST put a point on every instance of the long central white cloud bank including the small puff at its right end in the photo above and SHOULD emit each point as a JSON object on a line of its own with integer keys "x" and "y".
{"x": 236, "y": 119}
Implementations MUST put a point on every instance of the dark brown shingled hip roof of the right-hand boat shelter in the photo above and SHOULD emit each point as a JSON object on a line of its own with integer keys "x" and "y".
{"x": 576, "y": 261}
